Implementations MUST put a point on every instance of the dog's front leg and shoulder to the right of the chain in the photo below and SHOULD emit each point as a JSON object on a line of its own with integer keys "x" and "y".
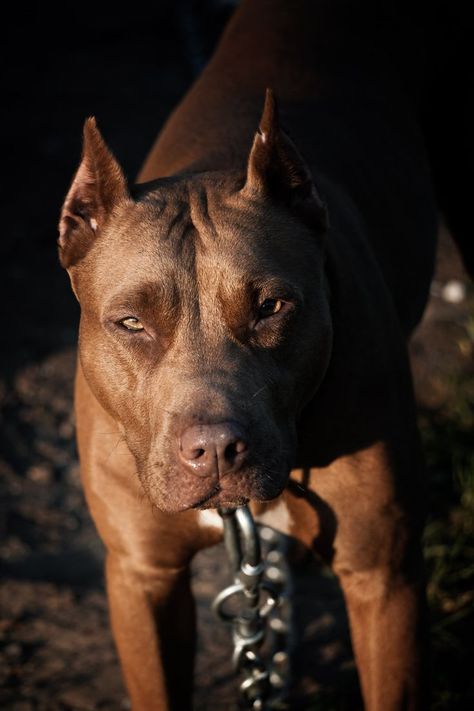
{"x": 374, "y": 535}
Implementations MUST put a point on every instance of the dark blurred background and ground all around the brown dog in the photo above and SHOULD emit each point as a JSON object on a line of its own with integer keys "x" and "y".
{"x": 129, "y": 66}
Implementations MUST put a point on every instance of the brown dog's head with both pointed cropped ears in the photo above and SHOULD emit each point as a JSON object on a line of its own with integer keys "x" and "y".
{"x": 205, "y": 324}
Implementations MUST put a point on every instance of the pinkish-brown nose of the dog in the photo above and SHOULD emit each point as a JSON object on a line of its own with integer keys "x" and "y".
{"x": 215, "y": 450}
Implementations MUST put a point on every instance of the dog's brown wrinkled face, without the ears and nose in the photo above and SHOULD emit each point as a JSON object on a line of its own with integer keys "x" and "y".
{"x": 199, "y": 312}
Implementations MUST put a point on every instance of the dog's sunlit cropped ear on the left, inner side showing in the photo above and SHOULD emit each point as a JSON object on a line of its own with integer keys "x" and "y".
{"x": 97, "y": 187}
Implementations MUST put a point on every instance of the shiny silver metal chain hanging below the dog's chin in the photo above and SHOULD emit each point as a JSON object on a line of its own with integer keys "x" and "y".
{"x": 262, "y": 614}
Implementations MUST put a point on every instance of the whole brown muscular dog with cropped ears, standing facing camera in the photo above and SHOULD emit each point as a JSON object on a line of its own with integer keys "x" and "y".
{"x": 231, "y": 333}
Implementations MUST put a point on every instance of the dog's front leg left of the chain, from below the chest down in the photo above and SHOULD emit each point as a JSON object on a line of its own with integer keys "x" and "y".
{"x": 153, "y": 620}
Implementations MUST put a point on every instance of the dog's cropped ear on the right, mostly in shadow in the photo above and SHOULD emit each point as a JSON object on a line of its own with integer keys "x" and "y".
{"x": 276, "y": 169}
